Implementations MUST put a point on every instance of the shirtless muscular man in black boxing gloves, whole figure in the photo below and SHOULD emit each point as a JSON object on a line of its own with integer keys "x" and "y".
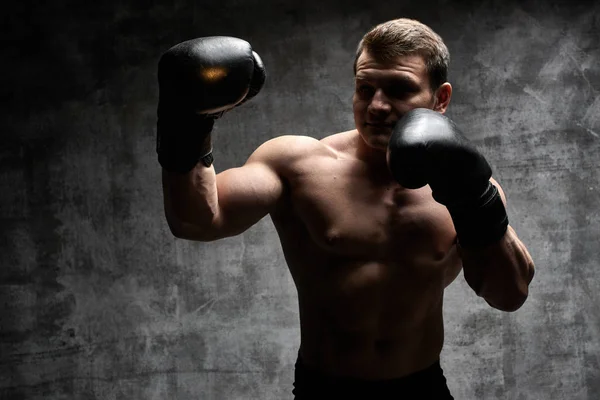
{"x": 374, "y": 222}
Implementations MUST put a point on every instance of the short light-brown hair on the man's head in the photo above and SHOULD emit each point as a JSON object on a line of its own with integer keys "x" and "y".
{"x": 404, "y": 36}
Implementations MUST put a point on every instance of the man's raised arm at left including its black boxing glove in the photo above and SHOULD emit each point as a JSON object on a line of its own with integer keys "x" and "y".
{"x": 198, "y": 81}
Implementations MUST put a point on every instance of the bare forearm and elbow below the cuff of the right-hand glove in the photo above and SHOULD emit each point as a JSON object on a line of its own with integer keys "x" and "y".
{"x": 500, "y": 272}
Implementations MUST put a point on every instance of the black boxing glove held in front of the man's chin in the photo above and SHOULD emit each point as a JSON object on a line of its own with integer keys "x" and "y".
{"x": 428, "y": 148}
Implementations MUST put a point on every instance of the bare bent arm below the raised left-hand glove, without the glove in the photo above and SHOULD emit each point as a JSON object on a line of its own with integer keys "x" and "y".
{"x": 203, "y": 206}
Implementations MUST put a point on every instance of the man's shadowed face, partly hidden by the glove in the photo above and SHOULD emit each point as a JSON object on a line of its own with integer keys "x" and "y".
{"x": 385, "y": 92}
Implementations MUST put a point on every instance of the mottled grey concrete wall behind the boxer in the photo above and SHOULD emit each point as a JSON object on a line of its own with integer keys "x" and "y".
{"x": 99, "y": 301}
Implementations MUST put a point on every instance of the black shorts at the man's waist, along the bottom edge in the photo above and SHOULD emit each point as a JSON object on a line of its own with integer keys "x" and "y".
{"x": 426, "y": 384}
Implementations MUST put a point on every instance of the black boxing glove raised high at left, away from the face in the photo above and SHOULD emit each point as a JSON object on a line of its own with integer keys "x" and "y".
{"x": 198, "y": 81}
